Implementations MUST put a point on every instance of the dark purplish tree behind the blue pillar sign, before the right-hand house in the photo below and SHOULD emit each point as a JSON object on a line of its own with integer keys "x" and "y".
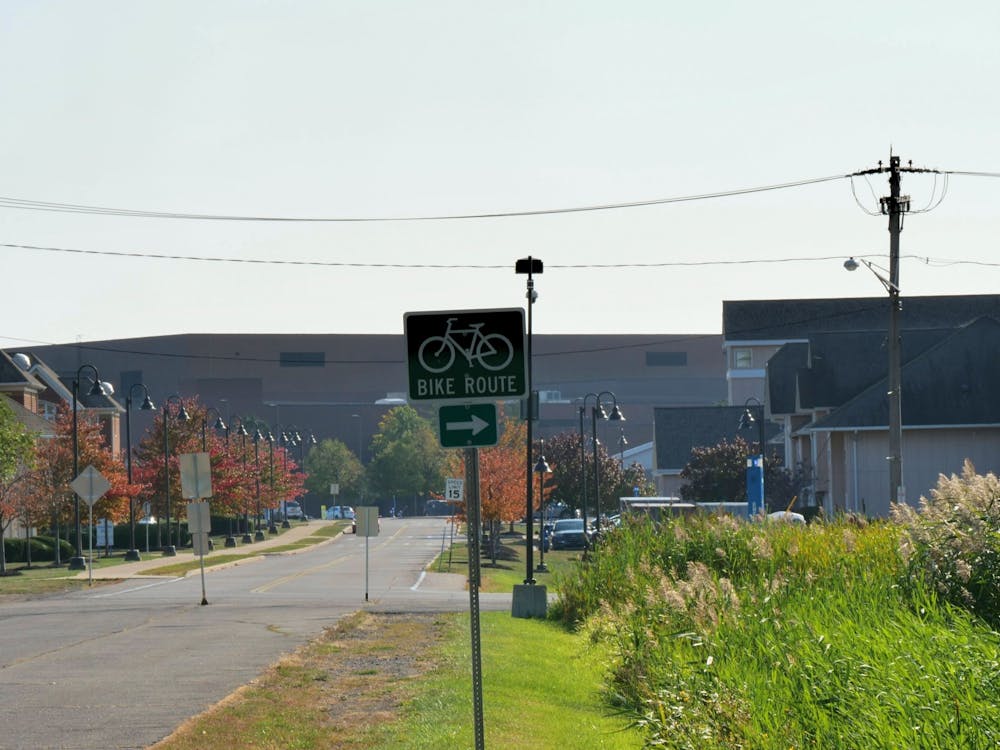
{"x": 718, "y": 473}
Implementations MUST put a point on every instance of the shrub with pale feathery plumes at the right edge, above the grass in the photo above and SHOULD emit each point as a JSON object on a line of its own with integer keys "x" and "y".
{"x": 952, "y": 541}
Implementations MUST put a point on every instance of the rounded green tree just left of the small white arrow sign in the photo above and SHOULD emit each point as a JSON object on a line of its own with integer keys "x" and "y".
{"x": 407, "y": 459}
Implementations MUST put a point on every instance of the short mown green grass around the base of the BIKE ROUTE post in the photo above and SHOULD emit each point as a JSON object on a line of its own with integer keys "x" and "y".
{"x": 542, "y": 688}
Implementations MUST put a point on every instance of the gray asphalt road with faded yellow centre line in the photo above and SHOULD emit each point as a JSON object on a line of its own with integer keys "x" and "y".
{"x": 120, "y": 666}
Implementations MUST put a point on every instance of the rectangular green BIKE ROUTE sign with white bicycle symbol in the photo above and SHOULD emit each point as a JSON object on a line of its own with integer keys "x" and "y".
{"x": 469, "y": 355}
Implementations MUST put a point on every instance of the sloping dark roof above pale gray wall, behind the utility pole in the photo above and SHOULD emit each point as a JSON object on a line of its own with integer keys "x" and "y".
{"x": 951, "y": 383}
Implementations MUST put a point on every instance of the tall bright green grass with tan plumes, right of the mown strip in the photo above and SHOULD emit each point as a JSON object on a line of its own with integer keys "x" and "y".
{"x": 724, "y": 634}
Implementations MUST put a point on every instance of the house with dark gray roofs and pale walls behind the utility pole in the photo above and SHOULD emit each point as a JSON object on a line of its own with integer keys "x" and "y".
{"x": 820, "y": 368}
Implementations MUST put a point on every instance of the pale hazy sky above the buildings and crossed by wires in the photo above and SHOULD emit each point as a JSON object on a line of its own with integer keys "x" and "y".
{"x": 374, "y": 109}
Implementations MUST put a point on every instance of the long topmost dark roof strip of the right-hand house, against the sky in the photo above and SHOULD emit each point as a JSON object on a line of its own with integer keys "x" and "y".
{"x": 783, "y": 320}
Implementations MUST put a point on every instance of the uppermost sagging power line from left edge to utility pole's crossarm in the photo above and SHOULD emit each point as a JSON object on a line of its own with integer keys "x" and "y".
{"x": 34, "y": 205}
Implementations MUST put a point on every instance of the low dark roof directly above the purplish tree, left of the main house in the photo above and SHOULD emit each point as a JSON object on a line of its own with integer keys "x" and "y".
{"x": 681, "y": 428}
